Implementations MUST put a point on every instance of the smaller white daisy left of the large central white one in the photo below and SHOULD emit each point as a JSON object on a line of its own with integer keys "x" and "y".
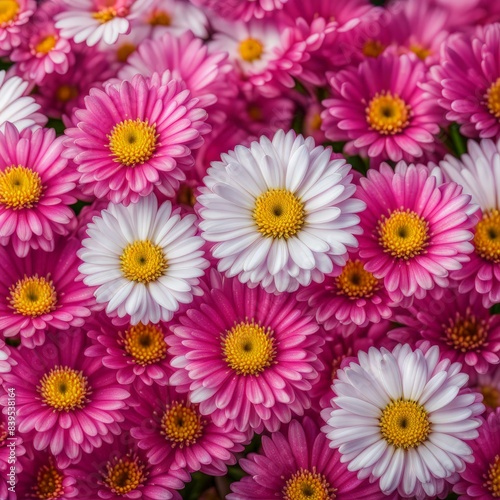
{"x": 144, "y": 259}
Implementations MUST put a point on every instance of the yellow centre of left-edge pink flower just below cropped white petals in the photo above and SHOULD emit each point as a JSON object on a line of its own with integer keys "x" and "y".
{"x": 20, "y": 187}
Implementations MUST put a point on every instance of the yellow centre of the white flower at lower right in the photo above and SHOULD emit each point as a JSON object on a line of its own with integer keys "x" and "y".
{"x": 404, "y": 424}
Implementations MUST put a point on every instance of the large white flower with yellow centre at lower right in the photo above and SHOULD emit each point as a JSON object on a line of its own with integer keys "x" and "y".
{"x": 403, "y": 417}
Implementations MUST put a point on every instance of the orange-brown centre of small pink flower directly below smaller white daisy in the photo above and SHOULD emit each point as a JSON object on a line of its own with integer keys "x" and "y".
{"x": 145, "y": 343}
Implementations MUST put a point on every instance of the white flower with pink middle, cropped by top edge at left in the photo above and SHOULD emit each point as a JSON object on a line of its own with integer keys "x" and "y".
{"x": 91, "y": 21}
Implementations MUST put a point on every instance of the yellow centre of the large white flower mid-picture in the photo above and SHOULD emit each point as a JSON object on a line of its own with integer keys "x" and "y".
{"x": 278, "y": 213}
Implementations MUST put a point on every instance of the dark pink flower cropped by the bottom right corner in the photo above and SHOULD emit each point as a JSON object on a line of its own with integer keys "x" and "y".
{"x": 481, "y": 479}
